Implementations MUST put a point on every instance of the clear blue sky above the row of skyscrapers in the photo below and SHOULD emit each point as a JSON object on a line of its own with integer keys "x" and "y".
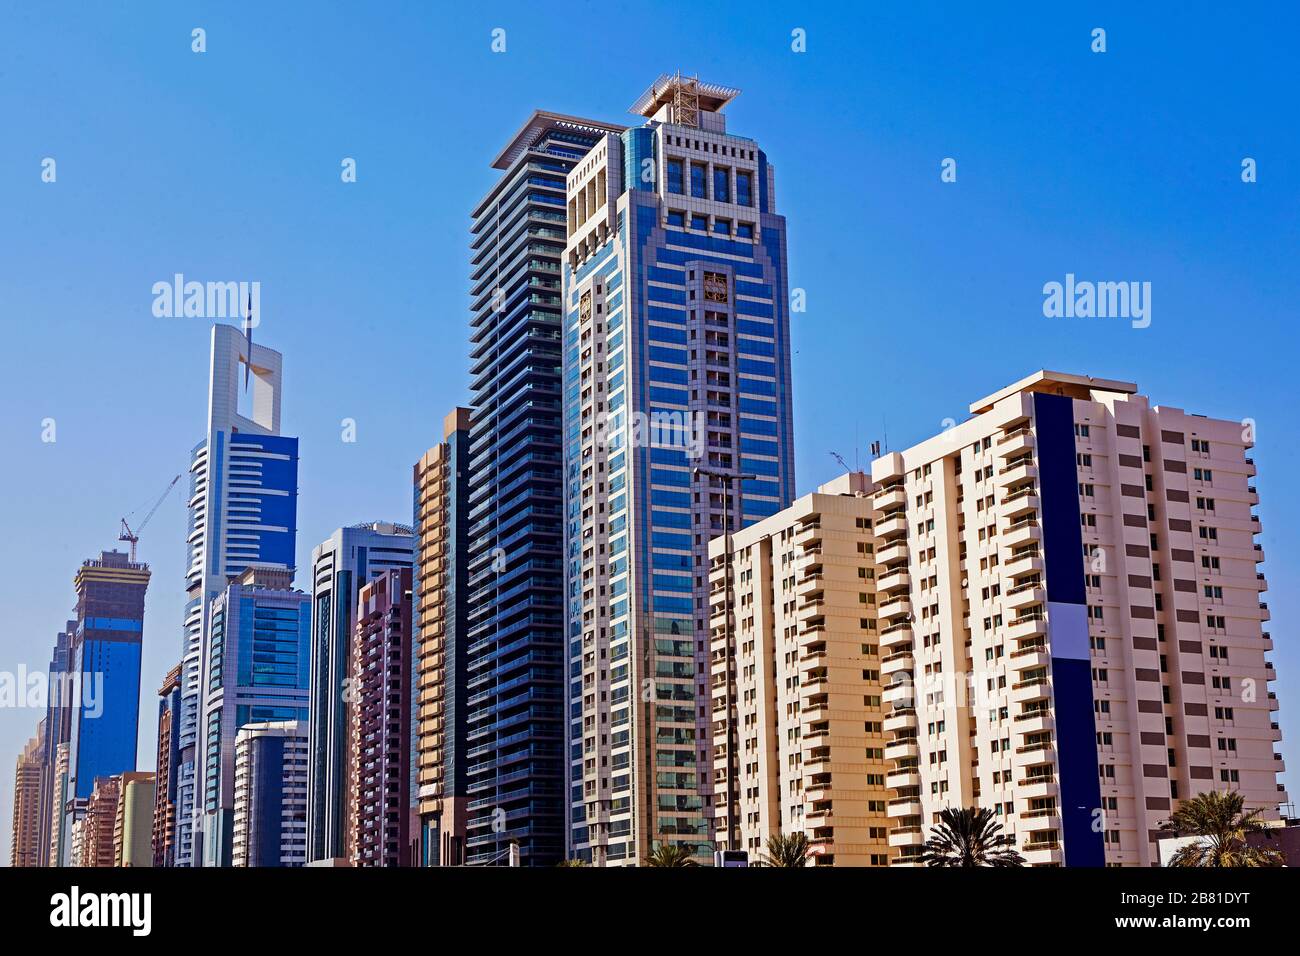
{"x": 922, "y": 296}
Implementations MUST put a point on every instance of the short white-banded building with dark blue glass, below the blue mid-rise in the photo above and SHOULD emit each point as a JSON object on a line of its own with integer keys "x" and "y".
{"x": 271, "y": 795}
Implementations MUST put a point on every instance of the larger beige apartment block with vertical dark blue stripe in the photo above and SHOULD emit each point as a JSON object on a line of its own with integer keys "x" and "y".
{"x": 1071, "y": 621}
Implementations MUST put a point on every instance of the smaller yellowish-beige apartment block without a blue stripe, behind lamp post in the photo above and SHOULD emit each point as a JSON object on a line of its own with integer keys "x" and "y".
{"x": 811, "y": 747}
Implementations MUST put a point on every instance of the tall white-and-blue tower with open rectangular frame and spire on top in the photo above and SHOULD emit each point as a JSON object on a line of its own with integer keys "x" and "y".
{"x": 244, "y": 512}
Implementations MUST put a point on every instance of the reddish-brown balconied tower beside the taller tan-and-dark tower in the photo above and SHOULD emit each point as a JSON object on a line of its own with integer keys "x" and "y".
{"x": 382, "y": 723}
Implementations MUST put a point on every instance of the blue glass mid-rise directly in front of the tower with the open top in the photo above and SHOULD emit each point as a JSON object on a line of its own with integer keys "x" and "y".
{"x": 257, "y": 671}
